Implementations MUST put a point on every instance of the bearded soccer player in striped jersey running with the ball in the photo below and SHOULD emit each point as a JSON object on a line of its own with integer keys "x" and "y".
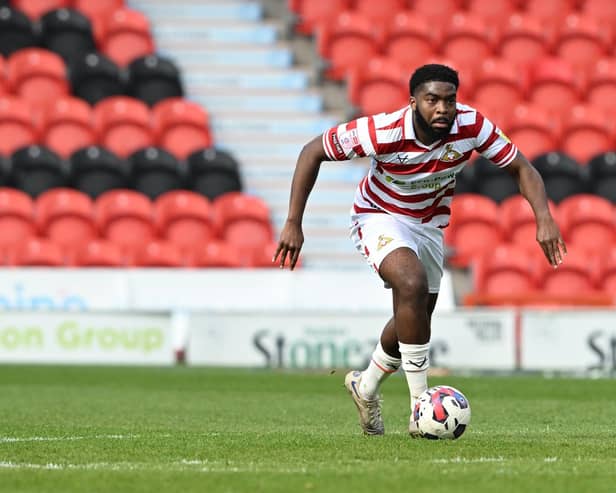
{"x": 400, "y": 210}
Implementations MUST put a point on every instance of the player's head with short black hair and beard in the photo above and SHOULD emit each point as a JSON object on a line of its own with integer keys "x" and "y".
{"x": 433, "y": 91}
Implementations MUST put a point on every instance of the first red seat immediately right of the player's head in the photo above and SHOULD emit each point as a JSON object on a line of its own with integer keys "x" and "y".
{"x": 498, "y": 81}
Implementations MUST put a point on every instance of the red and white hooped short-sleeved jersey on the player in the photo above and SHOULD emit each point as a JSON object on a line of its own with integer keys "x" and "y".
{"x": 407, "y": 178}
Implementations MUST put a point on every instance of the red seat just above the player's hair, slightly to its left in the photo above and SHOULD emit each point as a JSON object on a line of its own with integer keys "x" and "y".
{"x": 409, "y": 38}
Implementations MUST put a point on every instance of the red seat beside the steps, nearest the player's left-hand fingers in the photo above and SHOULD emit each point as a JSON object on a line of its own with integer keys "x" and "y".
{"x": 243, "y": 220}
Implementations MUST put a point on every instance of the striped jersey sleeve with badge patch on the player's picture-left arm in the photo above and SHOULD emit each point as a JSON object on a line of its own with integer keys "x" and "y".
{"x": 356, "y": 138}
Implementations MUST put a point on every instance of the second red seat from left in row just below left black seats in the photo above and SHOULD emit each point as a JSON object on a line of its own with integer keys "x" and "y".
{"x": 66, "y": 217}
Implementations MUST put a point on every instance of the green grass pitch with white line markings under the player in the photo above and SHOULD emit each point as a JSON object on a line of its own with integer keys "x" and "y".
{"x": 184, "y": 429}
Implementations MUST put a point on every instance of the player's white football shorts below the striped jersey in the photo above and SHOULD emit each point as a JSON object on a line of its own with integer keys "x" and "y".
{"x": 376, "y": 235}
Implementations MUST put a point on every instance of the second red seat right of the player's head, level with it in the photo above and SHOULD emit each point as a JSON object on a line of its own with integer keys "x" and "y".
{"x": 553, "y": 85}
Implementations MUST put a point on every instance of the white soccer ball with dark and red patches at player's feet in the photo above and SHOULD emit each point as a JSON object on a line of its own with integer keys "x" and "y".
{"x": 442, "y": 412}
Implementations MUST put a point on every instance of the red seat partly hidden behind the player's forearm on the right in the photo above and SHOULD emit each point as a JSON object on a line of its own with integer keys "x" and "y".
{"x": 519, "y": 224}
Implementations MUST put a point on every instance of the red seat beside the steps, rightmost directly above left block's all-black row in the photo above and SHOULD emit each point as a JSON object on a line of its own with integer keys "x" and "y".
{"x": 181, "y": 126}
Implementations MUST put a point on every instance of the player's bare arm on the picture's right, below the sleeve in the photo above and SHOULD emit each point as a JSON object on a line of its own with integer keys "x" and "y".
{"x": 533, "y": 189}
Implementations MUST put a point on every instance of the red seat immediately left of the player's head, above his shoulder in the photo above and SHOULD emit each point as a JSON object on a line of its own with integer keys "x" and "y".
{"x": 381, "y": 86}
